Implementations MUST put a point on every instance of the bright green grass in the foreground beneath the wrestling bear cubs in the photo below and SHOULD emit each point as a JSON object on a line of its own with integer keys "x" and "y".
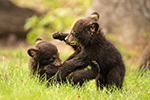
{"x": 15, "y": 83}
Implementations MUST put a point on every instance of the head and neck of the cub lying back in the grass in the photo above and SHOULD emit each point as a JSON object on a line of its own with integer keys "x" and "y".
{"x": 44, "y": 59}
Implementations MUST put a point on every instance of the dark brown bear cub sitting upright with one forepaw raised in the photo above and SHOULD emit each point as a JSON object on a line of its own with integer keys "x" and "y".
{"x": 86, "y": 34}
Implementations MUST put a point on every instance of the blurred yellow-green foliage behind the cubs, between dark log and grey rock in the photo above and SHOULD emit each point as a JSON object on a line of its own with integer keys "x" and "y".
{"x": 57, "y": 15}
